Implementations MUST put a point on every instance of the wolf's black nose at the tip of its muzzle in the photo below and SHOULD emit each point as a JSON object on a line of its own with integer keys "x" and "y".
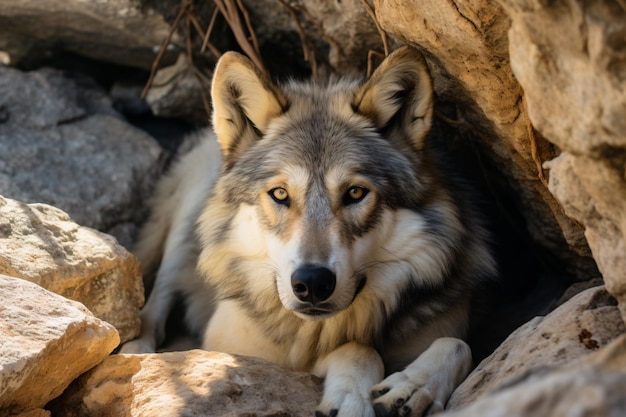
{"x": 313, "y": 283}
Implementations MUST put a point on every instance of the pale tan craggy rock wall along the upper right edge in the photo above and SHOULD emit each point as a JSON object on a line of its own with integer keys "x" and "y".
{"x": 570, "y": 58}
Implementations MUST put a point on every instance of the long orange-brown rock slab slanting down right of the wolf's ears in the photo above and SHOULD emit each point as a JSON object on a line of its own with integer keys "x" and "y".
{"x": 466, "y": 45}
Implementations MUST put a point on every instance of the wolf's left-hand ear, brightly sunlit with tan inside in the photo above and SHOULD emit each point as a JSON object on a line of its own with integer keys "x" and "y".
{"x": 244, "y": 101}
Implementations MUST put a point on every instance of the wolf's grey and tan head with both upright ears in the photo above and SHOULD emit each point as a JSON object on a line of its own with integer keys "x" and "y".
{"x": 320, "y": 182}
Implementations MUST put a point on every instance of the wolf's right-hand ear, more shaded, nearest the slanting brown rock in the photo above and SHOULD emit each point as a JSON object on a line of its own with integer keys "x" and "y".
{"x": 399, "y": 92}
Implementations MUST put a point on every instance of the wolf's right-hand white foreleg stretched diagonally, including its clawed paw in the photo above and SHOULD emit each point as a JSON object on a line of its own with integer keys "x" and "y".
{"x": 423, "y": 387}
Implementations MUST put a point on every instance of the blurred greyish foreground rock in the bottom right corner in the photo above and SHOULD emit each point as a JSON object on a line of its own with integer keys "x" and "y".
{"x": 592, "y": 386}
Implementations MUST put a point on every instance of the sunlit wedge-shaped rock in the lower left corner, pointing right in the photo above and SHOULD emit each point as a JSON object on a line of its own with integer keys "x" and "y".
{"x": 47, "y": 341}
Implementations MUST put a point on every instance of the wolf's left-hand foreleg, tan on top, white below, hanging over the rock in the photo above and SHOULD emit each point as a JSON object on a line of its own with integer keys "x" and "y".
{"x": 350, "y": 371}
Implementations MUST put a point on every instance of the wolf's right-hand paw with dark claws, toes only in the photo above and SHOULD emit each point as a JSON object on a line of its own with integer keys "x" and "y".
{"x": 398, "y": 395}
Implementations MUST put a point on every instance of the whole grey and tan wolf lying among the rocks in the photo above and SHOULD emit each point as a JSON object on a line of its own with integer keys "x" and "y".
{"x": 323, "y": 231}
